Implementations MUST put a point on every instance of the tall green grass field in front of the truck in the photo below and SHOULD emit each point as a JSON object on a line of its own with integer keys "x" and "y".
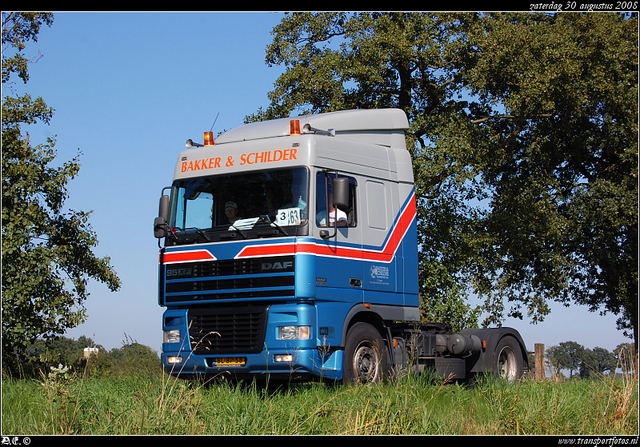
{"x": 159, "y": 405}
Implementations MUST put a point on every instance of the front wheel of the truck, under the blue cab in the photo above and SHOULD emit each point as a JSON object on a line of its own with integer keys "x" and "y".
{"x": 365, "y": 355}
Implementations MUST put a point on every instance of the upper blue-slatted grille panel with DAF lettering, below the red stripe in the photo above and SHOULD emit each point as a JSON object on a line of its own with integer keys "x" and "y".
{"x": 230, "y": 279}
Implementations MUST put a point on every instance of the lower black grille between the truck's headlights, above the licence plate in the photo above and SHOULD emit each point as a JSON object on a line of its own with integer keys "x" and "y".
{"x": 227, "y": 330}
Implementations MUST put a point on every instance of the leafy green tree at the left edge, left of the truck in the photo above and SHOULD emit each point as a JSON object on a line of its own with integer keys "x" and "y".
{"x": 47, "y": 256}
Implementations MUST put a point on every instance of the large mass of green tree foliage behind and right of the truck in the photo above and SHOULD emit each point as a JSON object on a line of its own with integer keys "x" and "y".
{"x": 524, "y": 142}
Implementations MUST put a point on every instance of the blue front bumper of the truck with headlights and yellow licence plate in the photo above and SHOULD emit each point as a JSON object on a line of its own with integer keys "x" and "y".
{"x": 267, "y": 355}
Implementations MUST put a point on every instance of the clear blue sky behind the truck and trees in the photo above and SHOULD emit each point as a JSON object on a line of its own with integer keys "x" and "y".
{"x": 128, "y": 90}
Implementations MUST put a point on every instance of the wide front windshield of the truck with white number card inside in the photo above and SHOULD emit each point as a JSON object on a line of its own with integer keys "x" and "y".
{"x": 240, "y": 202}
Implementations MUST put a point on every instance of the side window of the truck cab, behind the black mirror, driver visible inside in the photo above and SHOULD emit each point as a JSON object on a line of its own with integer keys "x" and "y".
{"x": 324, "y": 199}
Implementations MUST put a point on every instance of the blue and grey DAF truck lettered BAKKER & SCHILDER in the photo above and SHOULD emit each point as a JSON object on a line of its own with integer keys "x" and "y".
{"x": 258, "y": 282}
